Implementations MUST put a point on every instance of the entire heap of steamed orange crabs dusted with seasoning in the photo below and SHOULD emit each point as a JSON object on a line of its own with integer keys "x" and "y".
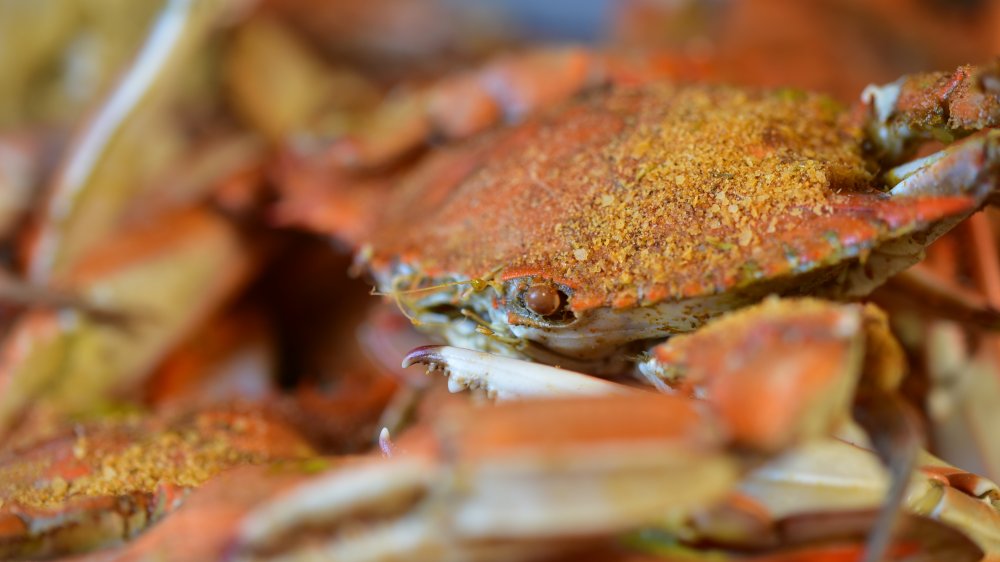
{"x": 654, "y": 297}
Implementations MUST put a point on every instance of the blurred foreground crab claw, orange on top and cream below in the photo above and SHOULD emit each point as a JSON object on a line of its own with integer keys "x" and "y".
{"x": 511, "y": 482}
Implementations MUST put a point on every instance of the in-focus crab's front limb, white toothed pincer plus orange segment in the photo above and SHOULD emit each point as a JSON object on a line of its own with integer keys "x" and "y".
{"x": 769, "y": 388}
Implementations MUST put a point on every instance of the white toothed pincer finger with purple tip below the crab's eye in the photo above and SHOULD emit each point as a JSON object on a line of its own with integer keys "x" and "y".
{"x": 504, "y": 378}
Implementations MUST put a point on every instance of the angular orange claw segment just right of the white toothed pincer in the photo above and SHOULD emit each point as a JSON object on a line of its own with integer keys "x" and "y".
{"x": 789, "y": 372}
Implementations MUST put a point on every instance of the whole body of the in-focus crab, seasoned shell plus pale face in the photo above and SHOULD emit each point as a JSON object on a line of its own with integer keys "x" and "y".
{"x": 651, "y": 208}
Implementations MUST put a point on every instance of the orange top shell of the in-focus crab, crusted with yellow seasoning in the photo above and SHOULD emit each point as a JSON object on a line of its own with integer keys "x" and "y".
{"x": 638, "y": 194}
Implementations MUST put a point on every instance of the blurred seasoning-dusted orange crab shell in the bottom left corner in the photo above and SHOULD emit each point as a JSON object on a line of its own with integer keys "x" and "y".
{"x": 107, "y": 481}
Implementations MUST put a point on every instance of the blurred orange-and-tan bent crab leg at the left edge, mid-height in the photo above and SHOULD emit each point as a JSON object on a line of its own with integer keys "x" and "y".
{"x": 192, "y": 255}
